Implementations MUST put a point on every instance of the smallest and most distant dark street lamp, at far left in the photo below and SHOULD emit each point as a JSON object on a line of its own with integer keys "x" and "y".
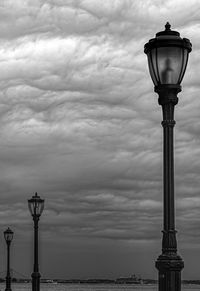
{"x": 8, "y": 235}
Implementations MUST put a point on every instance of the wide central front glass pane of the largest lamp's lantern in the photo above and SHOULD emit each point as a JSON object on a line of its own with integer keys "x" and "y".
{"x": 169, "y": 60}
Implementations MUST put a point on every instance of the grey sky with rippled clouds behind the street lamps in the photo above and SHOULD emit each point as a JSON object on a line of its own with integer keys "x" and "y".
{"x": 80, "y": 124}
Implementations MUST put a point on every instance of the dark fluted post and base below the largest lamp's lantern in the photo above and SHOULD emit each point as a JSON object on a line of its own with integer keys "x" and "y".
{"x": 169, "y": 263}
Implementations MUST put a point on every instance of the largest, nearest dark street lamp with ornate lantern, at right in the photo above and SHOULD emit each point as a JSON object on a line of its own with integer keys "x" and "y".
{"x": 167, "y": 55}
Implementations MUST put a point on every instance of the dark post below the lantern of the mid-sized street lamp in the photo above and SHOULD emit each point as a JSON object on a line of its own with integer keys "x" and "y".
{"x": 36, "y": 274}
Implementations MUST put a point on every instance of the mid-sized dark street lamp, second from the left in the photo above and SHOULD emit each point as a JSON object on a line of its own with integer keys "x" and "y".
{"x": 36, "y": 206}
